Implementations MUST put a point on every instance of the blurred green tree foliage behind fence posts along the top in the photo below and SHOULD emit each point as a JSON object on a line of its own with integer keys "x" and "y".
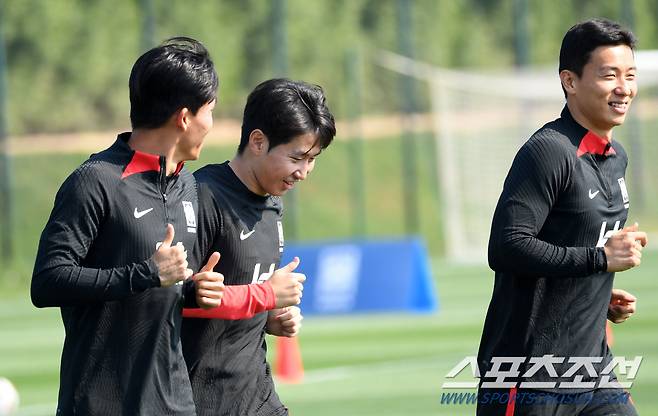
{"x": 69, "y": 60}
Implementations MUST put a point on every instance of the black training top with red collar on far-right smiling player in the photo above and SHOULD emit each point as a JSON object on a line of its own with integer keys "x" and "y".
{"x": 563, "y": 197}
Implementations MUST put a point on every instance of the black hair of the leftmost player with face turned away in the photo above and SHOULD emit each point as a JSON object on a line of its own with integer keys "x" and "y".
{"x": 179, "y": 73}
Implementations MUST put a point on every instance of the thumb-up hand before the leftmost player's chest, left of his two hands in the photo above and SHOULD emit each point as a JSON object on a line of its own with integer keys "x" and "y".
{"x": 171, "y": 260}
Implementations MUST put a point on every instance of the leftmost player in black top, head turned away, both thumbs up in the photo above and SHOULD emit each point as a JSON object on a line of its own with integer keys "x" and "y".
{"x": 114, "y": 248}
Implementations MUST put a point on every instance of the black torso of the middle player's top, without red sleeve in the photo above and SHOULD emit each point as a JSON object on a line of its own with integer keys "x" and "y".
{"x": 227, "y": 359}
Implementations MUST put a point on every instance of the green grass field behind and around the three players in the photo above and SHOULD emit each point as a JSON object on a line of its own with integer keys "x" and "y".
{"x": 365, "y": 365}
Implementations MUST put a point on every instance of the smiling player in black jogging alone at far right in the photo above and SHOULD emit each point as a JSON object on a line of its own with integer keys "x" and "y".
{"x": 558, "y": 237}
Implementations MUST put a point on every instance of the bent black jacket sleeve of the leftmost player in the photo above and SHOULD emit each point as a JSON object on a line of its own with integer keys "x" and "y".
{"x": 59, "y": 277}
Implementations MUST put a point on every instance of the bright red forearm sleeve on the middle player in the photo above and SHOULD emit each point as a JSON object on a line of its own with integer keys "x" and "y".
{"x": 239, "y": 302}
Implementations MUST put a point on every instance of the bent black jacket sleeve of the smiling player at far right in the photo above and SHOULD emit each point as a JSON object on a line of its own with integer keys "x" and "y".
{"x": 541, "y": 171}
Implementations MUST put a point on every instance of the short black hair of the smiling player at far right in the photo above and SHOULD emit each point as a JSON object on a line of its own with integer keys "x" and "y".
{"x": 584, "y": 37}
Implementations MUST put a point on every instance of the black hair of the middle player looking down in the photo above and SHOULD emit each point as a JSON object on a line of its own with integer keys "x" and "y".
{"x": 283, "y": 109}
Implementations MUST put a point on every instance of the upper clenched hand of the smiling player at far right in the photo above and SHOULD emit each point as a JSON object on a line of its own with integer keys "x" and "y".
{"x": 624, "y": 249}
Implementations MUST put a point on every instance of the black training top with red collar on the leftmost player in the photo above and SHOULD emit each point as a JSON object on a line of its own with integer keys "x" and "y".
{"x": 122, "y": 352}
